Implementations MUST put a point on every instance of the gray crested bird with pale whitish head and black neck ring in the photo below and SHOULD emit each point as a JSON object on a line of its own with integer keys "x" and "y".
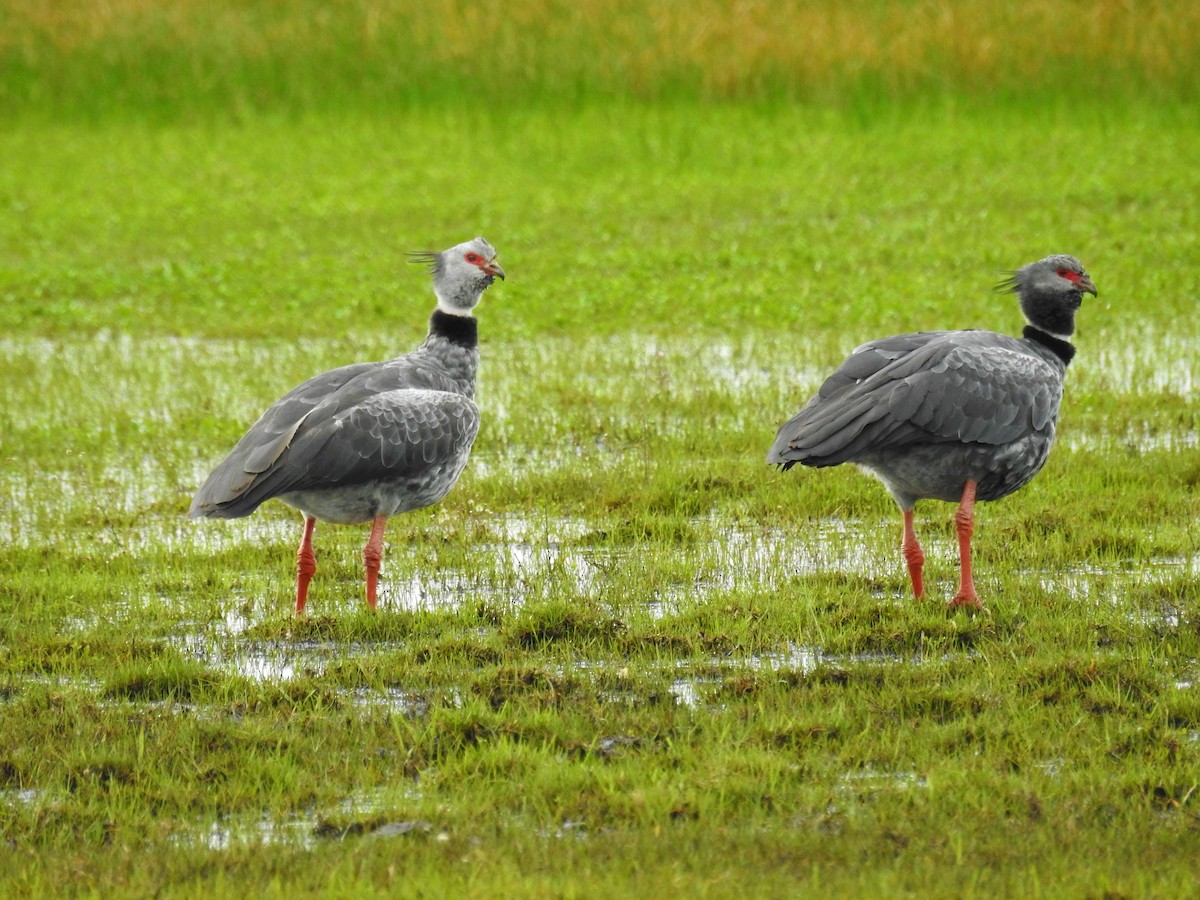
{"x": 367, "y": 442}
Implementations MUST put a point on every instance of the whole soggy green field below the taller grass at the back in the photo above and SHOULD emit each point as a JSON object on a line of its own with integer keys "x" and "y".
{"x": 623, "y": 653}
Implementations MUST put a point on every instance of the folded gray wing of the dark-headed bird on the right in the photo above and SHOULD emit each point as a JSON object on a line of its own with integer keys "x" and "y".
{"x": 976, "y": 388}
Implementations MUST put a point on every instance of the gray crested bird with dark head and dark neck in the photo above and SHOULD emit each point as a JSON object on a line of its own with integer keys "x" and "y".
{"x": 950, "y": 416}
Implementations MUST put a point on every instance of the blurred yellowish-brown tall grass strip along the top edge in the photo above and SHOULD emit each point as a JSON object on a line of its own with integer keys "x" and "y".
{"x": 725, "y": 47}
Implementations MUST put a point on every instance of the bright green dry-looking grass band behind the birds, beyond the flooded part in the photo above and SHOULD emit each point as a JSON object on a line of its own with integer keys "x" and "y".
{"x": 617, "y": 219}
